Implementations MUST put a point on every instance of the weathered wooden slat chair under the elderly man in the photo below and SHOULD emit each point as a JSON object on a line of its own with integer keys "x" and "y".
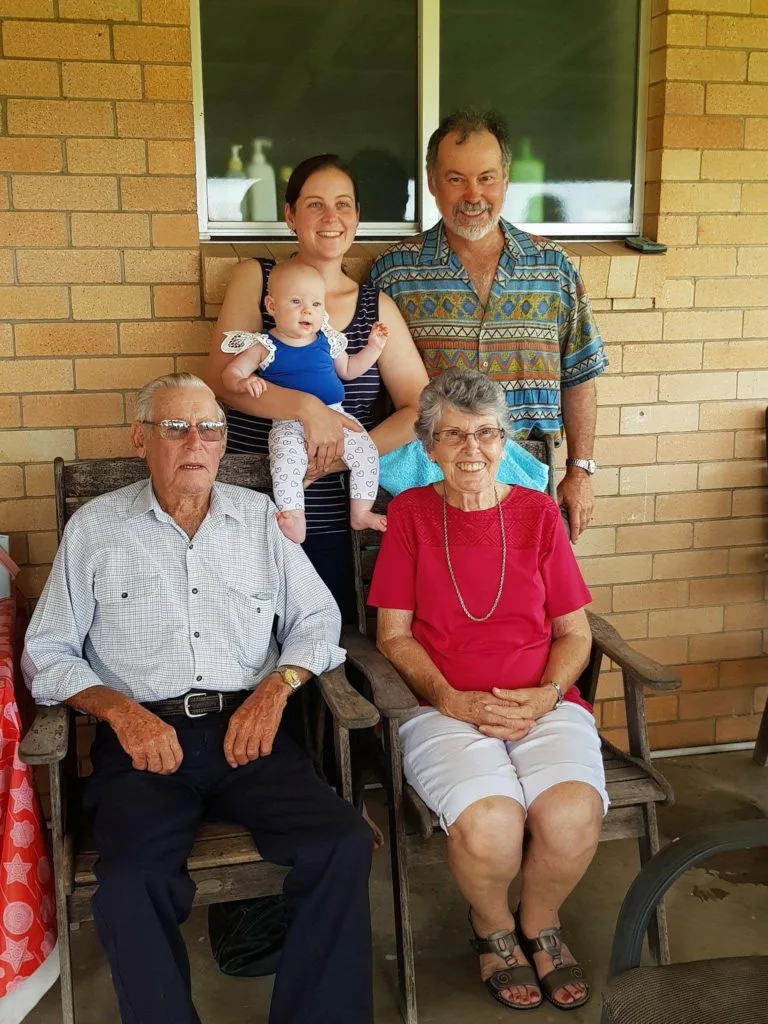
{"x": 224, "y": 864}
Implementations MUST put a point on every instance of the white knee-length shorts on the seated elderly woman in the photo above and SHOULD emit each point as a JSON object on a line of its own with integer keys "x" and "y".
{"x": 452, "y": 765}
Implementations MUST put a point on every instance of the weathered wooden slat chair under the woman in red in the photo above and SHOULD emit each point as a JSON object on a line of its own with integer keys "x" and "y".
{"x": 634, "y": 786}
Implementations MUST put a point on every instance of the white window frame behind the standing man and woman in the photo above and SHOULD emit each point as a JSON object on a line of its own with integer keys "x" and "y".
{"x": 429, "y": 27}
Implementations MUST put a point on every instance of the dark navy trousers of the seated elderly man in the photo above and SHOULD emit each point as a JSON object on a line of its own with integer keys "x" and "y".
{"x": 145, "y": 827}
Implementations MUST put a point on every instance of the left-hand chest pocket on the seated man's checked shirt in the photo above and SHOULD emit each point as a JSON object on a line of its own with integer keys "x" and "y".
{"x": 131, "y": 615}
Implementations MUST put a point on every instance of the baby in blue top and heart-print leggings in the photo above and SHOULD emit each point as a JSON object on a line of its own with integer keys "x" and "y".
{"x": 306, "y": 354}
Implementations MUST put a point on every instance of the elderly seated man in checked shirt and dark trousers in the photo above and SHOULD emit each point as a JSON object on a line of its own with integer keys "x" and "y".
{"x": 157, "y": 620}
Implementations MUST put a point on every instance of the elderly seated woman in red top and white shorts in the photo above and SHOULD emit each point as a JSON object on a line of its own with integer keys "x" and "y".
{"x": 482, "y": 612}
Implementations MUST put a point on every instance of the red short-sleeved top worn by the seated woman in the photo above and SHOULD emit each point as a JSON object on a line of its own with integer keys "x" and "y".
{"x": 542, "y": 583}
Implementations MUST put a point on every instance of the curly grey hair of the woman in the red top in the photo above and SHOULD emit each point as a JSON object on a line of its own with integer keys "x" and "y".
{"x": 465, "y": 391}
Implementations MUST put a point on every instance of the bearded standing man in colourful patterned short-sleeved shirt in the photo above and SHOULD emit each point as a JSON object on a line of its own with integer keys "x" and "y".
{"x": 480, "y": 294}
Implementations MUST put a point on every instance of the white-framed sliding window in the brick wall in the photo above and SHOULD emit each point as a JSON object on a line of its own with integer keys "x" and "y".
{"x": 280, "y": 80}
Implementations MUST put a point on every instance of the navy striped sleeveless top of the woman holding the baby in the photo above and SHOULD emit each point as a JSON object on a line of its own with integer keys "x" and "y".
{"x": 327, "y": 504}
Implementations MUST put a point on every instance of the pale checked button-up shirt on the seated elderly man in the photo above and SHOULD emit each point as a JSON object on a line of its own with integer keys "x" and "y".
{"x": 135, "y": 605}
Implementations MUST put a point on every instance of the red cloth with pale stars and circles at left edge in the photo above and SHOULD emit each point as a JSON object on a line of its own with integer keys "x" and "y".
{"x": 28, "y": 923}
